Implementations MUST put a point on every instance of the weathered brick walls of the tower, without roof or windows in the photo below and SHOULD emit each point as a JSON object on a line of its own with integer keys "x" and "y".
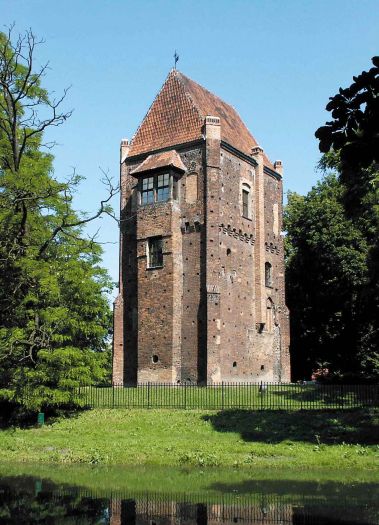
{"x": 207, "y": 314}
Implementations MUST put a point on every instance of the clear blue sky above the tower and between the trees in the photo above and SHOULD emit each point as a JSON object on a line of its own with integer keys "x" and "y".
{"x": 276, "y": 61}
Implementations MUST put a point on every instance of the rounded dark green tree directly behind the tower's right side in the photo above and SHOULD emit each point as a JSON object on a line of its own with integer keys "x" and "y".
{"x": 326, "y": 269}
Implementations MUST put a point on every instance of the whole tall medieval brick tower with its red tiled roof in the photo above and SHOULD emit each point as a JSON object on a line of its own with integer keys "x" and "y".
{"x": 201, "y": 294}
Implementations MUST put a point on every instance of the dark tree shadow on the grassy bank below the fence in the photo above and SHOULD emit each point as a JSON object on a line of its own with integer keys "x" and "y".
{"x": 359, "y": 426}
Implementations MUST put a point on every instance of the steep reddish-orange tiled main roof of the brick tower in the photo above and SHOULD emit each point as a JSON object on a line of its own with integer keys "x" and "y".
{"x": 177, "y": 116}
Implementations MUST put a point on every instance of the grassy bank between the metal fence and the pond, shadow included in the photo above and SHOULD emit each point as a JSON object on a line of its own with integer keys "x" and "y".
{"x": 244, "y": 439}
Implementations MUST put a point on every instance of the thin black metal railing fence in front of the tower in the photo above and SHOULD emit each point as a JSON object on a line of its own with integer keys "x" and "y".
{"x": 226, "y": 395}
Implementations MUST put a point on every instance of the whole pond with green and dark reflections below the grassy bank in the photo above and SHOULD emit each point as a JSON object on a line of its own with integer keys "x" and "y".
{"x": 151, "y": 496}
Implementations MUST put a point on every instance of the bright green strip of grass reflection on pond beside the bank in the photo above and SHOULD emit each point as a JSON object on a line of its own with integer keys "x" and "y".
{"x": 194, "y": 484}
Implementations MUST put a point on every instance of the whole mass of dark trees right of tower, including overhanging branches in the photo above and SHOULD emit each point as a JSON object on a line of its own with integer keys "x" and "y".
{"x": 333, "y": 241}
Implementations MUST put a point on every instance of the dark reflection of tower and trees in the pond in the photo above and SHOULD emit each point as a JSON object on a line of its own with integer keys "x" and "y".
{"x": 30, "y": 500}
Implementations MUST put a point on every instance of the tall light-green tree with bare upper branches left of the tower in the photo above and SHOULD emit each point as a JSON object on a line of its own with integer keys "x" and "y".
{"x": 54, "y": 313}
